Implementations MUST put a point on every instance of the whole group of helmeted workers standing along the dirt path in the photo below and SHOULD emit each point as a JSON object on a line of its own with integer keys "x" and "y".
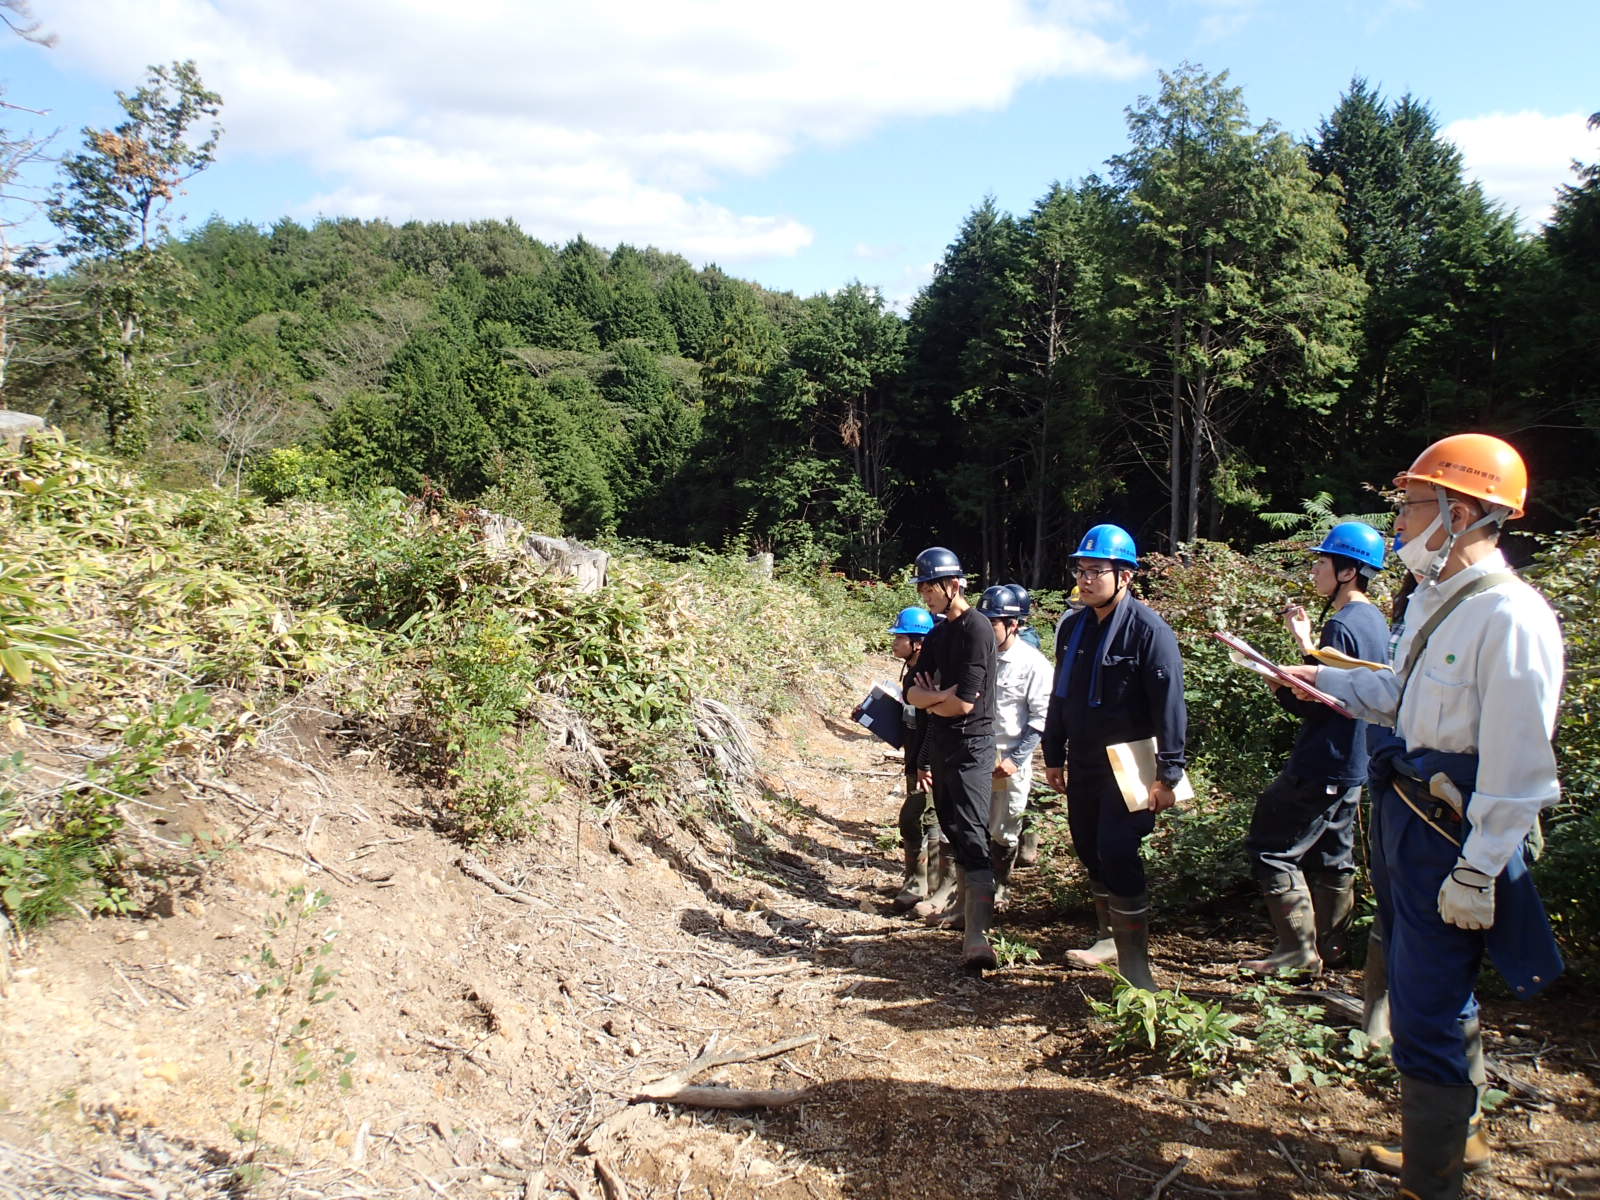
{"x": 1447, "y": 721}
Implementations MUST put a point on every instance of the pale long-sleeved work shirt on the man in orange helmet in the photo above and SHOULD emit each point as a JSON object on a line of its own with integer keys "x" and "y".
{"x": 1489, "y": 684}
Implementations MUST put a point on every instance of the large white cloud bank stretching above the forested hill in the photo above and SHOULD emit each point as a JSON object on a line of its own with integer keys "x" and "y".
{"x": 617, "y": 118}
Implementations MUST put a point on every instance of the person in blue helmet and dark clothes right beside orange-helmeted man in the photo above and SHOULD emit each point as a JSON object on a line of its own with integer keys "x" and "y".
{"x": 1302, "y": 844}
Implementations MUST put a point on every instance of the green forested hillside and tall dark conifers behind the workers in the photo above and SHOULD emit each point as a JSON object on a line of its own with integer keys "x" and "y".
{"x": 1223, "y": 324}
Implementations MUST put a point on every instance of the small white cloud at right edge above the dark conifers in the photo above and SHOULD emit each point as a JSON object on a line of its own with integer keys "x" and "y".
{"x": 1522, "y": 158}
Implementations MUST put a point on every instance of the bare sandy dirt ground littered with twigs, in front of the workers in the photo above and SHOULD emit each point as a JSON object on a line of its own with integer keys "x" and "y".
{"x": 500, "y": 1028}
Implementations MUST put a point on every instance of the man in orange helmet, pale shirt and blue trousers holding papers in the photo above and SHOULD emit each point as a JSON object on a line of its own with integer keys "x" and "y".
{"x": 1478, "y": 674}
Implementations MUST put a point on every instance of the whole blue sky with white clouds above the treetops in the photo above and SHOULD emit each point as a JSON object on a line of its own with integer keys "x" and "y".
{"x": 802, "y": 146}
